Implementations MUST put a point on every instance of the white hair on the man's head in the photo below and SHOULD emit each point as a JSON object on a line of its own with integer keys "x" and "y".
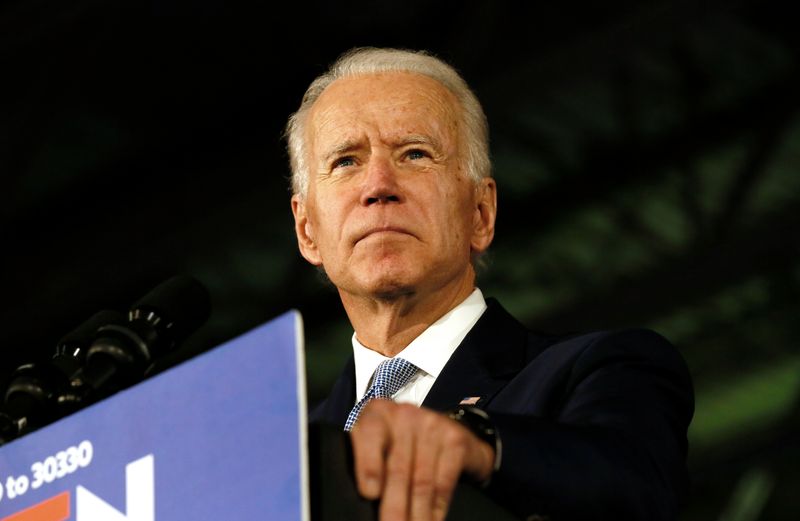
{"x": 371, "y": 60}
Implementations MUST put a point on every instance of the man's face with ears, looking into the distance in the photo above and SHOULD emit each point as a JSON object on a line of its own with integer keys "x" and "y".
{"x": 389, "y": 209}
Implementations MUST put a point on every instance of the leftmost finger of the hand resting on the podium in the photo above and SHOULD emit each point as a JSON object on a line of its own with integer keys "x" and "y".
{"x": 370, "y": 439}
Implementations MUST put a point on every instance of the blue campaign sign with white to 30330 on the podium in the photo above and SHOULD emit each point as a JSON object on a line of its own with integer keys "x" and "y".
{"x": 220, "y": 437}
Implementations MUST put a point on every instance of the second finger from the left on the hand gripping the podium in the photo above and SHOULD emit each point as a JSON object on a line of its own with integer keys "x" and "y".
{"x": 399, "y": 464}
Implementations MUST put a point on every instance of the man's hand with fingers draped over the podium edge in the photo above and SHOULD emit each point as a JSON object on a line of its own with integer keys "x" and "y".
{"x": 411, "y": 458}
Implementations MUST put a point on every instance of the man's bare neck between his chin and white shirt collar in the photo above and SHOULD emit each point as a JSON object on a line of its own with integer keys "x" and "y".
{"x": 388, "y": 325}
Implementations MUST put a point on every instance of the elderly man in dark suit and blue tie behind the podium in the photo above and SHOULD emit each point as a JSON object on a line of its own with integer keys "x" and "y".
{"x": 394, "y": 200}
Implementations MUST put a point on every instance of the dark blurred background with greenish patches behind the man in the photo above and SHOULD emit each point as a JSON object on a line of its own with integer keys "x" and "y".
{"x": 646, "y": 153}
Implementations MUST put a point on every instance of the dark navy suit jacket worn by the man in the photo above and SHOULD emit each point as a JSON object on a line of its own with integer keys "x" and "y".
{"x": 592, "y": 426}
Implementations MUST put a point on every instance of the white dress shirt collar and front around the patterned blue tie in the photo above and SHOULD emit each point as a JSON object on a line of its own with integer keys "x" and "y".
{"x": 430, "y": 351}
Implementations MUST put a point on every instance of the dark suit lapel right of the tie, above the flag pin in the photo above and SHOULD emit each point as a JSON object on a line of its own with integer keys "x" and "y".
{"x": 491, "y": 353}
